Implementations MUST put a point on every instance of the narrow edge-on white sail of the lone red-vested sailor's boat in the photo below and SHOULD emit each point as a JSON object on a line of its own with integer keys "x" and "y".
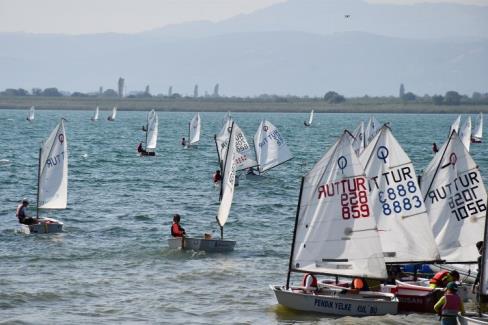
{"x": 228, "y": 181}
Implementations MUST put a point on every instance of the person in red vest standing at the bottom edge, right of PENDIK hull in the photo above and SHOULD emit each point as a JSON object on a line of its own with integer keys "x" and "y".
{"x": 449, "y": 305}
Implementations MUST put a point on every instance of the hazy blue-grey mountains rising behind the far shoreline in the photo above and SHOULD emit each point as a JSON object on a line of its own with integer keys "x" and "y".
{"x": 298, "y": 47}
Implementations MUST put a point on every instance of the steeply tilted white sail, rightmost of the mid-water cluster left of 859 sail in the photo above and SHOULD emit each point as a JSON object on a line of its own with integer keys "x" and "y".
{"x": 271, "y": 148}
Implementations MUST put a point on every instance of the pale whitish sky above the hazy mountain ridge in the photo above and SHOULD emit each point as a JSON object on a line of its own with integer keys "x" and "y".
{"x": 130, "y": 16}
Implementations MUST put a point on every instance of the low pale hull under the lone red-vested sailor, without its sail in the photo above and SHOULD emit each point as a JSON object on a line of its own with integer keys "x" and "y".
{"x": 200, "y": 244}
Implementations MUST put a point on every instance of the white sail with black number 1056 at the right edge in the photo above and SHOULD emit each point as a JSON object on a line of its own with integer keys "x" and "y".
{"x": 455, "y": 198}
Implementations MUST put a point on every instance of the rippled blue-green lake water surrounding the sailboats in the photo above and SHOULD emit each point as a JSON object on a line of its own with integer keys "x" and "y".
{"x": 112, "y": 264}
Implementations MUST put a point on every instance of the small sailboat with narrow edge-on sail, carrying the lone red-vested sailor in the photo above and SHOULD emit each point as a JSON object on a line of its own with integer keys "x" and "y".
{"x": 226, "y": 196}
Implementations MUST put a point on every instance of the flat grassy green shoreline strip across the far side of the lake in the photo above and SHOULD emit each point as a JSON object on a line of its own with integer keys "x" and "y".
{"x": 223, "y": 104}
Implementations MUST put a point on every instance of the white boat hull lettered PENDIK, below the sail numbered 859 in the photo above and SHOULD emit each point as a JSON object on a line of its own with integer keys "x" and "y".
{"x": 335, "y": 302}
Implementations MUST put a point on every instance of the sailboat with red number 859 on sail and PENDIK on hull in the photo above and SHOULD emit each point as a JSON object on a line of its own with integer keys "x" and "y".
{"x": 335, "y": 234}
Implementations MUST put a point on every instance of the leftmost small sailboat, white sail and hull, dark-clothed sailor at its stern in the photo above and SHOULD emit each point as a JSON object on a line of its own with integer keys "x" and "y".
{"x": 52, "y": 181}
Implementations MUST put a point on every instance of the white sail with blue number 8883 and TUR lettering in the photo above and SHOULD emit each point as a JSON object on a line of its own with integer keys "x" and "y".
{"x": 397, "y": 203}
